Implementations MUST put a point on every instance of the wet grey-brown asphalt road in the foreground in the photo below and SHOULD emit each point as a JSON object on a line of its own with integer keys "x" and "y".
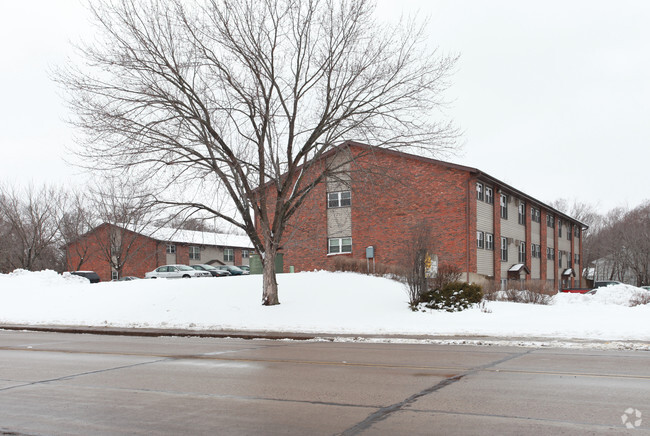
{"x": 70, "y": 384}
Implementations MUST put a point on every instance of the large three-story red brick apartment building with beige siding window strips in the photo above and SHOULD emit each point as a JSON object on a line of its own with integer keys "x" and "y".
{"x": 483, "y": 227}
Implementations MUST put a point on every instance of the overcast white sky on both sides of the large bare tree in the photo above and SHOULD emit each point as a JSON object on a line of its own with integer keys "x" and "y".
{"x": 553, "y": 97}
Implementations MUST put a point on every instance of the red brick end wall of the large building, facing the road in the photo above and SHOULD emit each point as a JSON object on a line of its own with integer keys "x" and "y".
{"x": 391, "y": 195}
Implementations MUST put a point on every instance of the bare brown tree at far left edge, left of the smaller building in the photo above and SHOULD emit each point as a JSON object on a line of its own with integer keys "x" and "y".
{"x": 29, "y": 226}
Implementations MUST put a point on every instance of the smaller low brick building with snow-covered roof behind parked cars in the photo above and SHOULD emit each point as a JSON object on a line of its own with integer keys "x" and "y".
{"x": 149, "y": 248}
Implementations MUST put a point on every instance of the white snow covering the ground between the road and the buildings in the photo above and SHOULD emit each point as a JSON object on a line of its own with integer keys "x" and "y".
{"x": 313, "y": 302}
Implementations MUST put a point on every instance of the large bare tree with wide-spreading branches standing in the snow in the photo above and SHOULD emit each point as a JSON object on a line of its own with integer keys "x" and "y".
{"x": 234, "y": 95}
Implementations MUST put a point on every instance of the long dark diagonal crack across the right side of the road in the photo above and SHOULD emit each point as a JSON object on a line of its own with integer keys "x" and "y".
{"x": 385, "y": 412}
